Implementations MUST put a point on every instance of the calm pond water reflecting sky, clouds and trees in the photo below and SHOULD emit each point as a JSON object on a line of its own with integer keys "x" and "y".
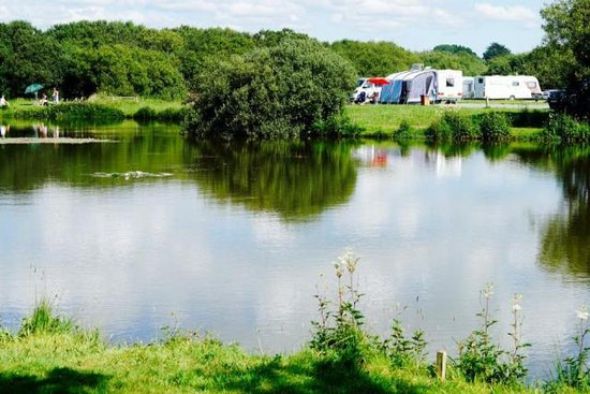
{"x": 154, "y": 230}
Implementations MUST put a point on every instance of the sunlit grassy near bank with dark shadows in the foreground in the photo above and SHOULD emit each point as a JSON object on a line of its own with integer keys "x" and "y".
{"x": 50, "y": 355}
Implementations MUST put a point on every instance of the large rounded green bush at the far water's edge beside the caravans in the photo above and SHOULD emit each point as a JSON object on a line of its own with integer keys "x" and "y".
{"x": 279, "y": 91}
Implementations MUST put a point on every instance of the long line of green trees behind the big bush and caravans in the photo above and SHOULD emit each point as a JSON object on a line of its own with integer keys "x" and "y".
{"x": 122, "y": 58}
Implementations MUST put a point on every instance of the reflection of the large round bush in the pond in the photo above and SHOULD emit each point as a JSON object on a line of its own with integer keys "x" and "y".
{"x": 295, "y": 180}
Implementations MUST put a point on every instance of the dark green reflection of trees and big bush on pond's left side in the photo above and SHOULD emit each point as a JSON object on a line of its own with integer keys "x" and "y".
{"x": 294, "y": 180}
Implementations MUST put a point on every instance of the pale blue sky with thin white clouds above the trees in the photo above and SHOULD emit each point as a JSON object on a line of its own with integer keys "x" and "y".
{"x": 414, "y": 24}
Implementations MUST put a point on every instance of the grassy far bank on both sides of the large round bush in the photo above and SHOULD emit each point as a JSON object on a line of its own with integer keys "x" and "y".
{"x": 374, "y": 120}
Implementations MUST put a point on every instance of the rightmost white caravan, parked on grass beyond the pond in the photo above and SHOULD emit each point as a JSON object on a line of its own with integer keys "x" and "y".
{"x": 507, "y": 87}
